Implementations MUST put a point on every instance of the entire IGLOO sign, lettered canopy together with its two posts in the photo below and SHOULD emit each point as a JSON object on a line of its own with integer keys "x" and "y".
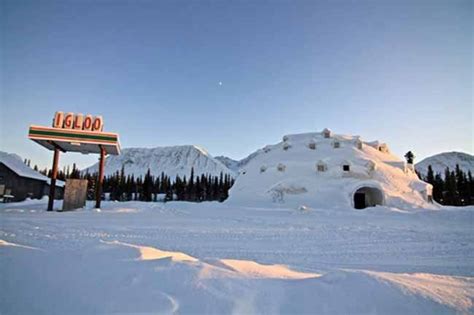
{"x": 76, "y": 133}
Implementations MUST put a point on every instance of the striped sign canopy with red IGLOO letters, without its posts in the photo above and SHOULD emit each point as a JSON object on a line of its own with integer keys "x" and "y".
{"x": 74, "y": 133}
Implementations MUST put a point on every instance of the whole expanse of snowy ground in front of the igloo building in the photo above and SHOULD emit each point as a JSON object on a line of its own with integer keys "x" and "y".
{"x": 210, "y": 258}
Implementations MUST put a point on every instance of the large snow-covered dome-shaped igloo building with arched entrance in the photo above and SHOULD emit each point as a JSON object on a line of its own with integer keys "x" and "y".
{"x": 322, "y": 170}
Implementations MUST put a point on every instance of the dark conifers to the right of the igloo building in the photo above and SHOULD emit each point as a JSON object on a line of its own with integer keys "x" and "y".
{"x": 454, "y": 187}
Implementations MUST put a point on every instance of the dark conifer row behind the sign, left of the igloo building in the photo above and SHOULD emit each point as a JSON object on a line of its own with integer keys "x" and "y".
{"x": 123, "y": 187}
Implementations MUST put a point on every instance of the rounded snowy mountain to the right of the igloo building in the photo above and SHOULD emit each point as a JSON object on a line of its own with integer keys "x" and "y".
{"x": 439, "y": 162}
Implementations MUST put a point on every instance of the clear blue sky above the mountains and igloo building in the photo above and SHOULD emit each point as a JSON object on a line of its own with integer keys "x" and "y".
{"x": 234, "y": 76}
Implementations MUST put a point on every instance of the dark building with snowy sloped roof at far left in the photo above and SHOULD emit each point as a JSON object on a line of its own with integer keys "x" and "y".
{"x": 20, "y": 181}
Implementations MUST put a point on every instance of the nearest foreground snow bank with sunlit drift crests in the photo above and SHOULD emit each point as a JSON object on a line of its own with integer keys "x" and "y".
{"x": 111, "y": 285}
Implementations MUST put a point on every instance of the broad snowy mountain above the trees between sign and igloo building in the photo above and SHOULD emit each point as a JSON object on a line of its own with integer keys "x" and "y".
{"x": 173, "y": 160}
